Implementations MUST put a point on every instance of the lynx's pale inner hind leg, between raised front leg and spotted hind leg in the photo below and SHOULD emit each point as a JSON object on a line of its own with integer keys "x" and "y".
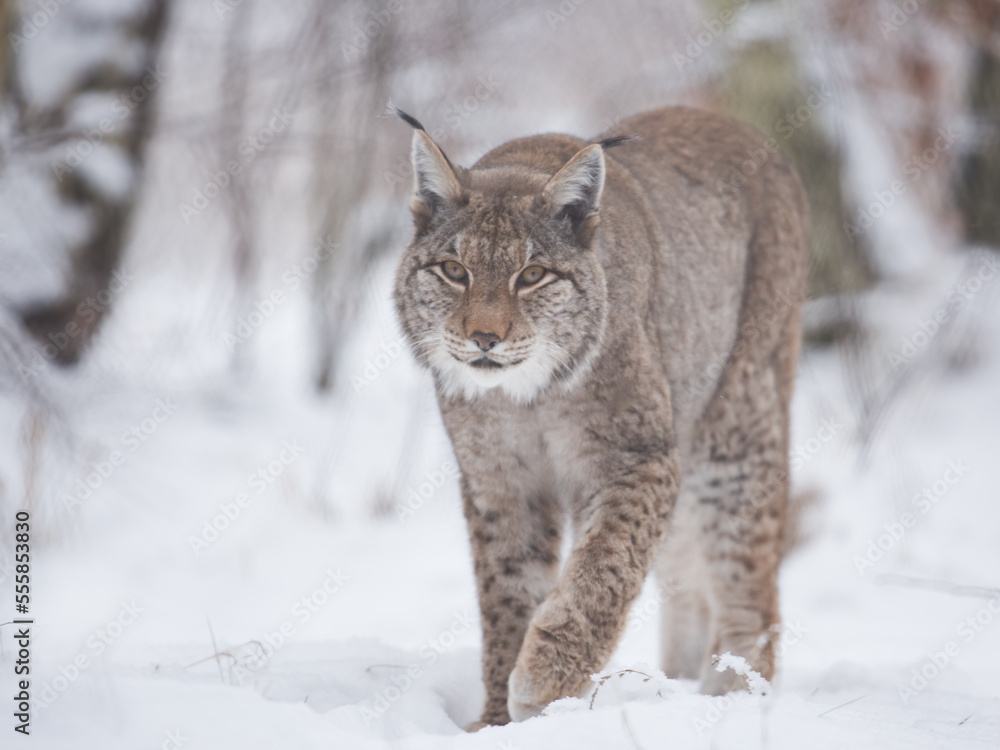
{"x": 684, "y": 614}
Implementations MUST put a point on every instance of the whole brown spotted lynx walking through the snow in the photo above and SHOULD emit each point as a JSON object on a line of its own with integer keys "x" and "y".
{"x": 613, "y": 335}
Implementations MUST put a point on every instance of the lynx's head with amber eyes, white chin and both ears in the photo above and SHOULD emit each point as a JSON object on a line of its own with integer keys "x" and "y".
{"x": 499, "y": 287}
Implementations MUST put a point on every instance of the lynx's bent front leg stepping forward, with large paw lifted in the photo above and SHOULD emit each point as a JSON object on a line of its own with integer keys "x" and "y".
{"x": 575, "y": 631}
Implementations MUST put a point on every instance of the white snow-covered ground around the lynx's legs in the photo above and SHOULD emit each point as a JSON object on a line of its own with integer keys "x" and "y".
{"x": 262, "y": 569}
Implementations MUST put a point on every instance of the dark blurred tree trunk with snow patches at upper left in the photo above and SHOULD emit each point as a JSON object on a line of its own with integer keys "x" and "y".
{"x": 71, "y": 320}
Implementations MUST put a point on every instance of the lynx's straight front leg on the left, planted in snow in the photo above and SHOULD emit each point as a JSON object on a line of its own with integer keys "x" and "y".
{"x": 515, "y": 549}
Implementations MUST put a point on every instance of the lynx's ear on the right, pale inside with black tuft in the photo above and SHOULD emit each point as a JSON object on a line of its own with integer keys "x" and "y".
{"x": 574, "y": 191}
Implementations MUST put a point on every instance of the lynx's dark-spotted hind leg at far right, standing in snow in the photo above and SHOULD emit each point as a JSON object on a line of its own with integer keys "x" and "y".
{"x": 743, "y": 495}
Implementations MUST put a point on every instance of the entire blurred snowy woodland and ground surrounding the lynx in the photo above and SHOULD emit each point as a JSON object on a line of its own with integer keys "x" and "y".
{"x": 246, "y": 530}
